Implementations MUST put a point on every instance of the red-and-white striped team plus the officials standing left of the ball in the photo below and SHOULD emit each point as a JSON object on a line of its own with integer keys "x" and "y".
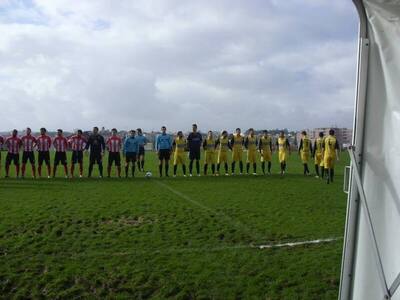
{"x": 78, "y": 144}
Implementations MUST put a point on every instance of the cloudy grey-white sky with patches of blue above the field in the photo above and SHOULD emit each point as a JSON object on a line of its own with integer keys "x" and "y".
{"x": 219, "y": 63}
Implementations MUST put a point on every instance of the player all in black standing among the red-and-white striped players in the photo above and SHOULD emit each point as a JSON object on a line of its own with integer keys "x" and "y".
{"x": 96, "y": 146}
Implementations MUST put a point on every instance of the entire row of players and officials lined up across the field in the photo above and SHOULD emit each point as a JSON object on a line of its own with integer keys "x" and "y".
{"x": 324, "y": 152}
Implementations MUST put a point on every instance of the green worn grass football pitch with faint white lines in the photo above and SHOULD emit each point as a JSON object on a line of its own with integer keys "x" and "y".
{"x": 180, "y": 238}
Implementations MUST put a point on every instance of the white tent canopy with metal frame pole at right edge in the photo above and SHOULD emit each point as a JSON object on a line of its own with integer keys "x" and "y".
{"x": 371, "y": 258}
